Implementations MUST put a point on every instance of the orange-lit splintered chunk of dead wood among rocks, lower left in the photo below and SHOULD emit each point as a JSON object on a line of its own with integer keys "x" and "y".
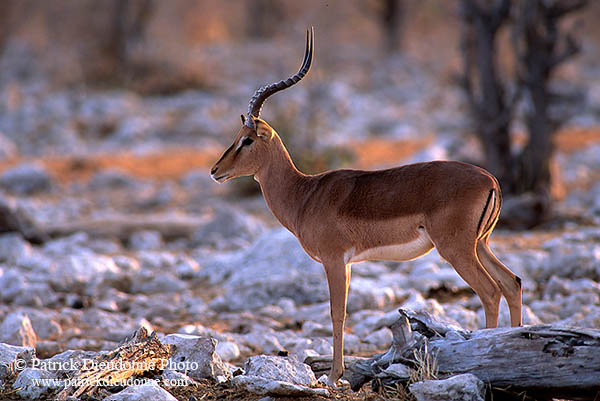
{"x": 142, "y": 354}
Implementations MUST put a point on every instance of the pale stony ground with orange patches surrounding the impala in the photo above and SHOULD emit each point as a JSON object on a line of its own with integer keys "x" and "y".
{"x": 140, "y": 237}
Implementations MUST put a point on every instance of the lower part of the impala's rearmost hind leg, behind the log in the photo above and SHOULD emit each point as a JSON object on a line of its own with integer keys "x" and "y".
{"x": 509, "y": 283}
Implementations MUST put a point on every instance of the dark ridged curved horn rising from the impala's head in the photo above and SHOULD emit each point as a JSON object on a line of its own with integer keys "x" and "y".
{"x": 263, "y": 93}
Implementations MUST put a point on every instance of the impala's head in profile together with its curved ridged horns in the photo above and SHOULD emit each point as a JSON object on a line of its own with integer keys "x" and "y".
{"x": 251, "y": 146}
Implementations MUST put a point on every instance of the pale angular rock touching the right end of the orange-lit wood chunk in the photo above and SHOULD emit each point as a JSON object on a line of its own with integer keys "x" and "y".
{"x": 196, "y": 352}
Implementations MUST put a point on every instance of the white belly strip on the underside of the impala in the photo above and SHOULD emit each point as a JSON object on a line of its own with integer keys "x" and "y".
{"x": 397, "y": 252}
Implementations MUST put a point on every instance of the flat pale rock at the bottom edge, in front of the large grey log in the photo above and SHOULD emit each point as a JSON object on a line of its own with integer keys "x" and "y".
{"x": 465, "y": 387}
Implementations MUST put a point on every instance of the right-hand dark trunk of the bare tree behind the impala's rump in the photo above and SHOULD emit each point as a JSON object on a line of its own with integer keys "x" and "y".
{"x": 540, "y": 47}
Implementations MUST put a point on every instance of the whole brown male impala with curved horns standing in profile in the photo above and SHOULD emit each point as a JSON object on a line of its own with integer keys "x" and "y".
{"x": 346, "y": 216}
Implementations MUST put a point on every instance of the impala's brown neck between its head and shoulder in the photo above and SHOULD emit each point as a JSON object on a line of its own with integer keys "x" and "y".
{"x": 282, "y": 185}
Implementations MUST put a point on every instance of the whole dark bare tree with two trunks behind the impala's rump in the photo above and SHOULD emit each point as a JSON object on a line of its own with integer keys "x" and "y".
{"x": 539, "y": 46}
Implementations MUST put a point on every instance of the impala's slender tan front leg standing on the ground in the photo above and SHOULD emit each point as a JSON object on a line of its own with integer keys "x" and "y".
{"x": 338, "y": 278}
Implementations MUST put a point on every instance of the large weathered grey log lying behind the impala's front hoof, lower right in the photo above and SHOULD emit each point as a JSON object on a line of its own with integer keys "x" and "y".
{"x": 540, "y": 361}
